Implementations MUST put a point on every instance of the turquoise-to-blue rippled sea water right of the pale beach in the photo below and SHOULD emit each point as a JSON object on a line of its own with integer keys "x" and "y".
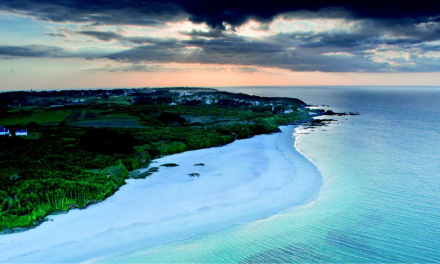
{"x": 380, "y": 201}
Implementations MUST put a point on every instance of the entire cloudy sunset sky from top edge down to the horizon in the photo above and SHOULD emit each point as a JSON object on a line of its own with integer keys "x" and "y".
{"x": 59, "y": 44}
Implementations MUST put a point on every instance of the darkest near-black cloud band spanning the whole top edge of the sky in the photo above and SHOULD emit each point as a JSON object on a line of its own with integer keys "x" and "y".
{"x": 214, "y": 13}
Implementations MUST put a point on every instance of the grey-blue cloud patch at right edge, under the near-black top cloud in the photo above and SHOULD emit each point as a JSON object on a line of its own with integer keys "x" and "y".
{"x": 367, "y": 35}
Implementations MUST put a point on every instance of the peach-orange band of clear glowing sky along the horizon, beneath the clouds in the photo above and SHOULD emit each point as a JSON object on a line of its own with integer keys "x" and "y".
{"x": 201, "y": 75}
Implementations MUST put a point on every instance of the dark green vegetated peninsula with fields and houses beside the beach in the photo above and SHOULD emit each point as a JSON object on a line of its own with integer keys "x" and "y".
{"x": 80, "y": 146}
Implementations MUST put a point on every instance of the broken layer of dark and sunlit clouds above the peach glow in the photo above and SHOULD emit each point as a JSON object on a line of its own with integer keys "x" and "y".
{"x": 328, "y": 36}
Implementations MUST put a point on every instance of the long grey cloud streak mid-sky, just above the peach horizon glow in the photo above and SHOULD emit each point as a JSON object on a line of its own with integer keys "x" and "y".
{"x": 246, "y": 53}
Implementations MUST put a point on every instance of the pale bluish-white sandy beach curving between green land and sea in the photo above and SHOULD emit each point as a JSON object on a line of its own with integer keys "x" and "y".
{"x": 241, "y": 182}
